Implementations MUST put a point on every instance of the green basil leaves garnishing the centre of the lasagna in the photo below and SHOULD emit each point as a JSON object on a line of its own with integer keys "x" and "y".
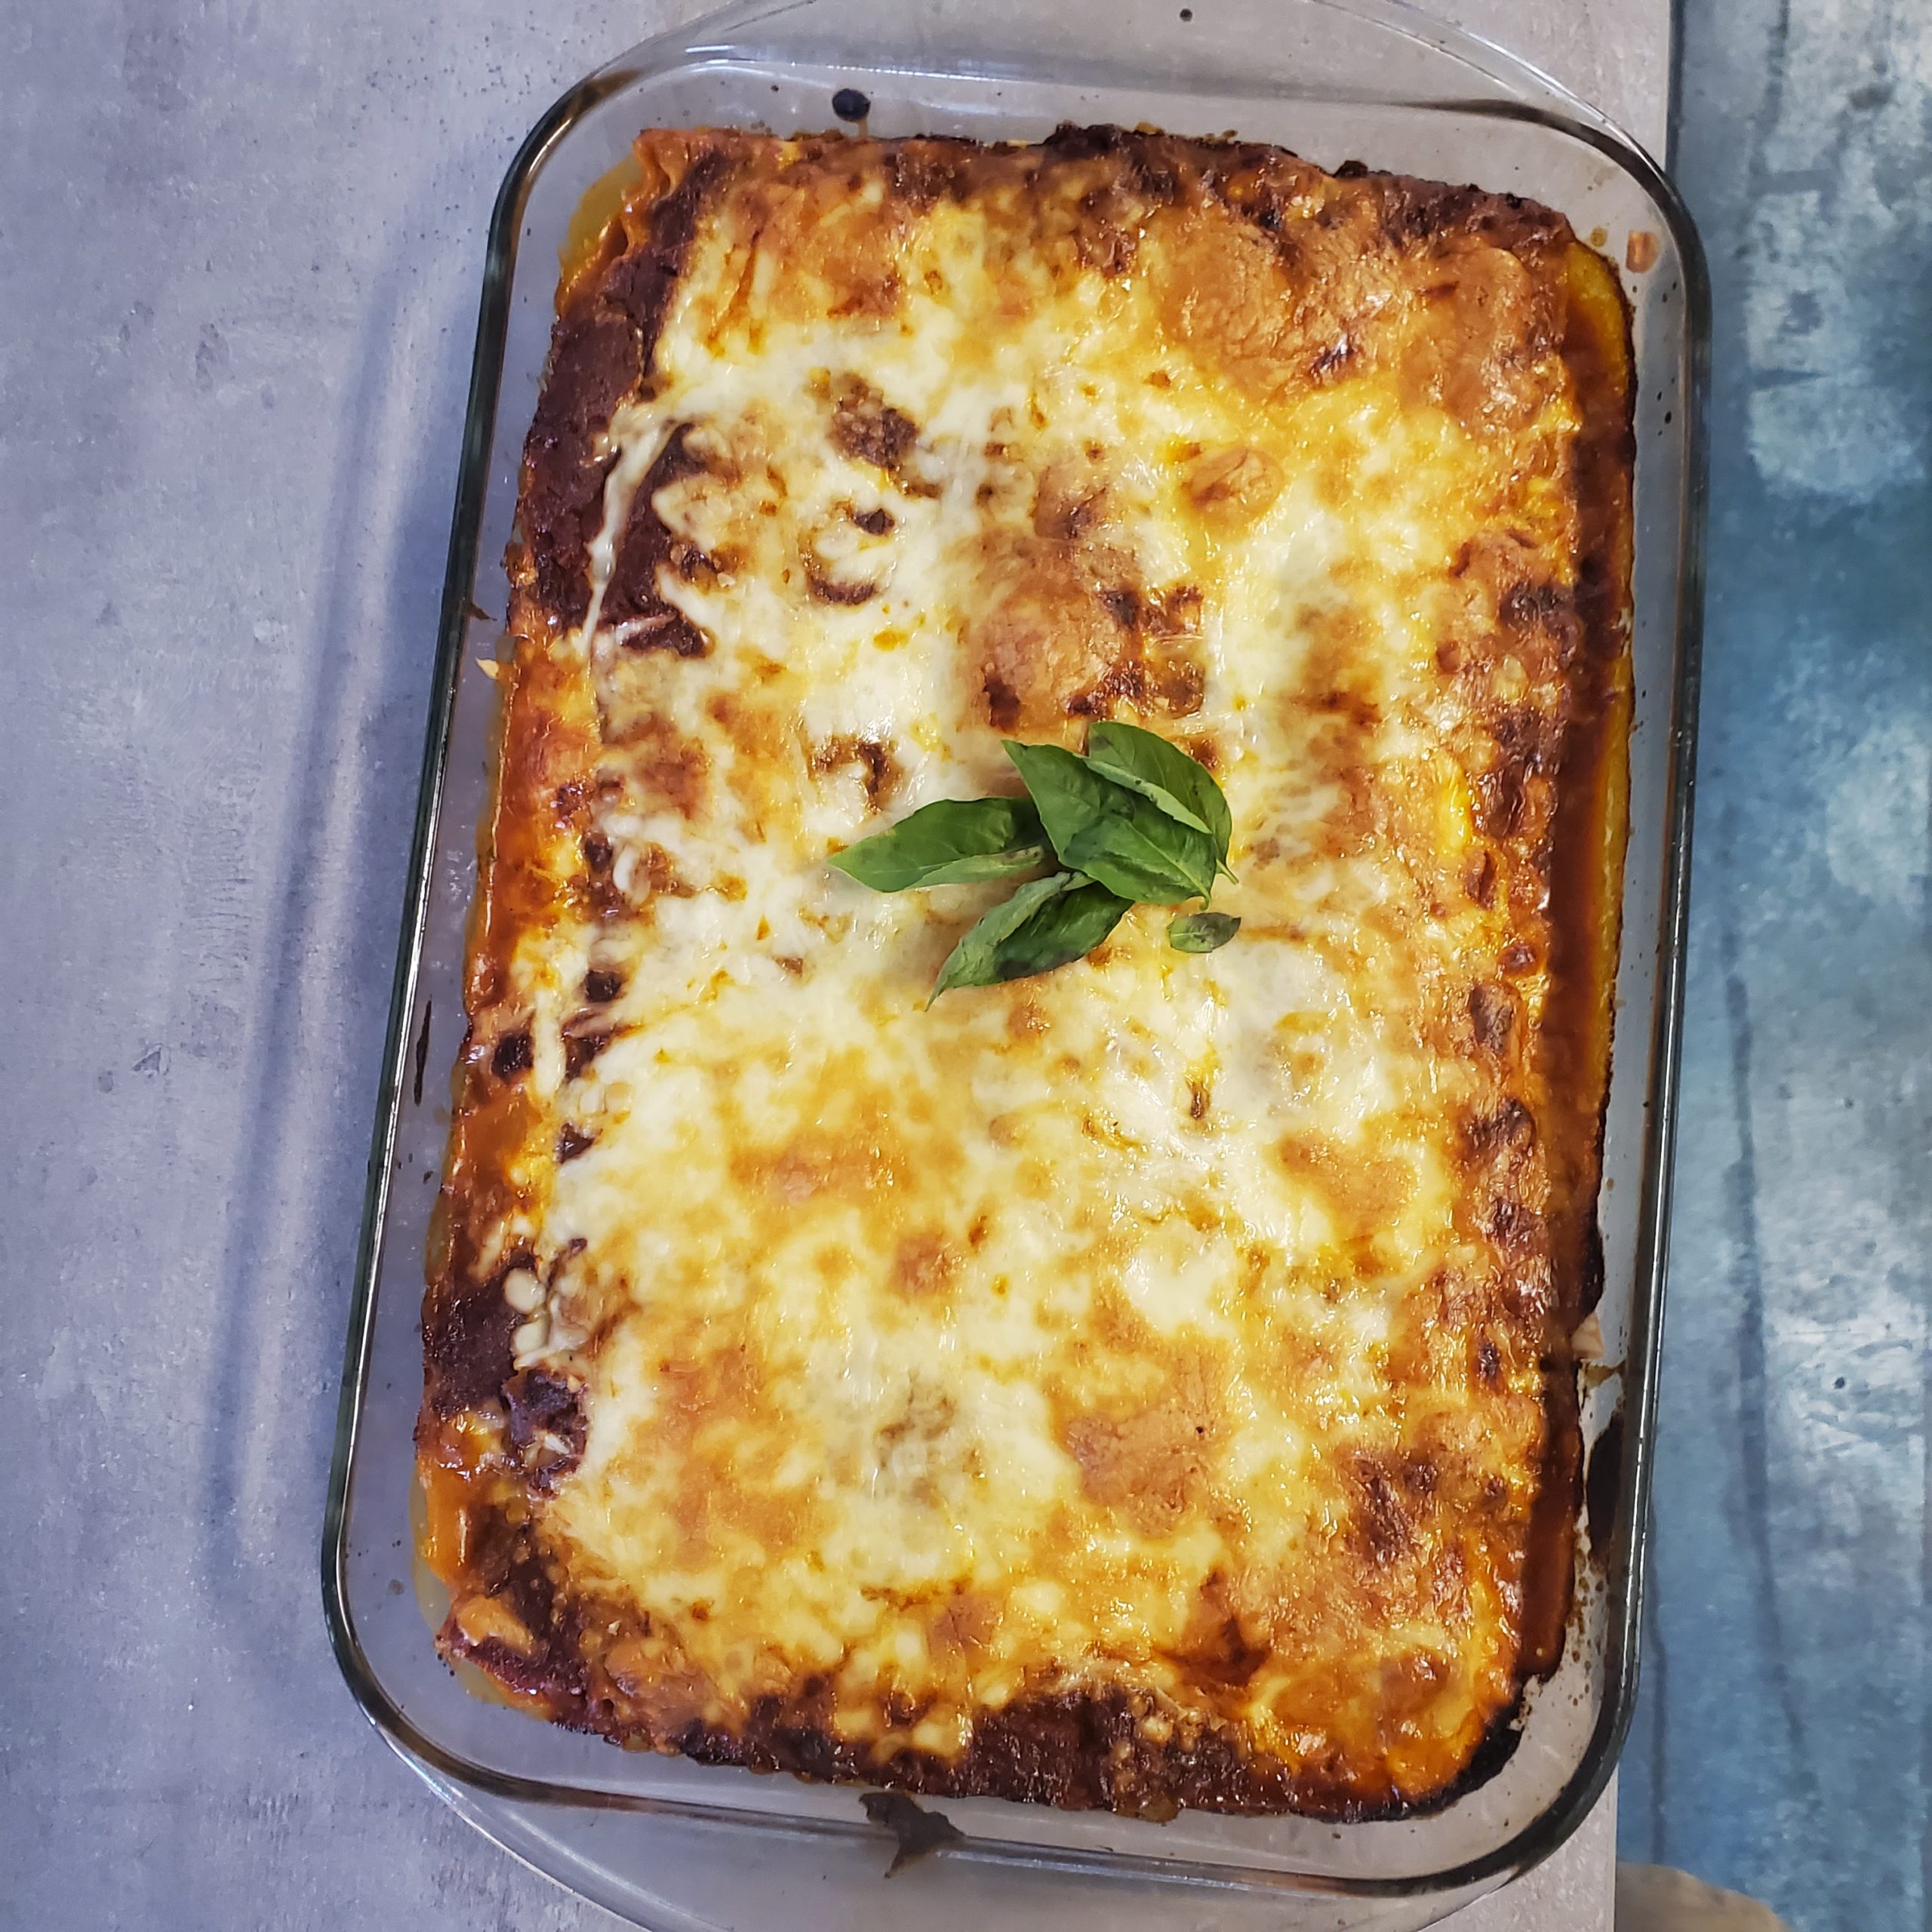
{"x": 1135, "y": 820}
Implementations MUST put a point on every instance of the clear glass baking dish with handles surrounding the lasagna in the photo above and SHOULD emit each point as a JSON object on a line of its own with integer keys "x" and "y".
{"x": 1334, "y": 80}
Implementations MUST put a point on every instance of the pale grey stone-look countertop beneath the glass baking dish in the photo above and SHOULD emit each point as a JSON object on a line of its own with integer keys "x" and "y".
{"x": 239, "y": 262}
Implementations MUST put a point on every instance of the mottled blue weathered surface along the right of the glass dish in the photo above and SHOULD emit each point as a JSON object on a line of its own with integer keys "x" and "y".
{"x": 1782, "y": 1740}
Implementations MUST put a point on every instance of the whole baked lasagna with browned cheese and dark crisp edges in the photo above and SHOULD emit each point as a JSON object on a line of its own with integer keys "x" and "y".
{"x": 1139, "y": 1386}
